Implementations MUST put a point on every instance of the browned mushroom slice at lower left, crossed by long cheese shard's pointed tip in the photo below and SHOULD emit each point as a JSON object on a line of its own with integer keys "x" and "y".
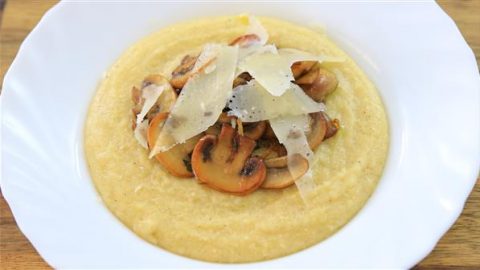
{"x": 177, "y": 160}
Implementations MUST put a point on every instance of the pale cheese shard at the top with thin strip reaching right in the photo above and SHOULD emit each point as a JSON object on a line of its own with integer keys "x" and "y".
{"x": 273, "y": 70}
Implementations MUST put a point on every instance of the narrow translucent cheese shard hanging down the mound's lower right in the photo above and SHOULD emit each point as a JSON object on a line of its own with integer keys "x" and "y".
{"x": 290, "y": 131}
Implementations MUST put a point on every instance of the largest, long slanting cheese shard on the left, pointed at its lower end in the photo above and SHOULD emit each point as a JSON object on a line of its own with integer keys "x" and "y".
{"x": 201, "y": 101}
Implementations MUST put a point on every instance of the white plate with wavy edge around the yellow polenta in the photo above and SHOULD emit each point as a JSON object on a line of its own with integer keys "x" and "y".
{"x": 413, "y": 52}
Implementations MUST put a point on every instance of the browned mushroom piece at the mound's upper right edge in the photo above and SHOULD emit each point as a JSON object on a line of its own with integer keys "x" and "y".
{"x": 318, "y": 83}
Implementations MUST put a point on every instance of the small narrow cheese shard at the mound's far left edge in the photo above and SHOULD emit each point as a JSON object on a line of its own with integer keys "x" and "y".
{"x": 150, "y": 95}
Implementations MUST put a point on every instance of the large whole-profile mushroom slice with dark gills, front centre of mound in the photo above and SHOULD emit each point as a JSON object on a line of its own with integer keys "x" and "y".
{"x": 224, "y": 163}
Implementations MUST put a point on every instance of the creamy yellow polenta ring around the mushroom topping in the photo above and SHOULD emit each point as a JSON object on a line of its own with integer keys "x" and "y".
{"x": 196, "y": 221}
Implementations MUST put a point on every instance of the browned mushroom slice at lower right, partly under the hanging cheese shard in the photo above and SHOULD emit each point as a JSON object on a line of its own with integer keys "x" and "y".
{"x": 280, "y": 174}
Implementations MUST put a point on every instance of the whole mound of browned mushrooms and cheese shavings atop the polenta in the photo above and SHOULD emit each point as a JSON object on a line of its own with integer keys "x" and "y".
{"x": 240, "y": 116}
